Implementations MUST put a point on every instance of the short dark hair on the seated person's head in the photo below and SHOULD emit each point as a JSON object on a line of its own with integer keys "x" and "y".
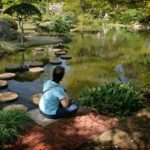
{"x": 58, "y": 73}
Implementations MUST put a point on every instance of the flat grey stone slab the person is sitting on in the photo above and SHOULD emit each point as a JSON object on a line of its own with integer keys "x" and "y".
{"x": 36, "y": 116}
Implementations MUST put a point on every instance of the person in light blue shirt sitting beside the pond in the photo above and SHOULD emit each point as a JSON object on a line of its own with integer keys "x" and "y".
{"x": 53, "y": 103}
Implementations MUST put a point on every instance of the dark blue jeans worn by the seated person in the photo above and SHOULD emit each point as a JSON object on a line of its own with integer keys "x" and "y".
{"x": 63, "y": 112}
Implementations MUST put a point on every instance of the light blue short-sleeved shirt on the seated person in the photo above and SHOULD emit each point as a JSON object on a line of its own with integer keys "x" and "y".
{"x": 50, "y": 100}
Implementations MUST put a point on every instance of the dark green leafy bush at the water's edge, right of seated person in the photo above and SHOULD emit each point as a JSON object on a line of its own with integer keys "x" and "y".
{"x": 115, "y": 99}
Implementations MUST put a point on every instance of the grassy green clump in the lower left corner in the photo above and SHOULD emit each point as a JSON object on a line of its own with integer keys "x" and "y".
{"x": 12, "y": 123}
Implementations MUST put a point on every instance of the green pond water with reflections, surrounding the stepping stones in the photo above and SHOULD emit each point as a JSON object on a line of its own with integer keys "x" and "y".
{"x": 106, "y": 56}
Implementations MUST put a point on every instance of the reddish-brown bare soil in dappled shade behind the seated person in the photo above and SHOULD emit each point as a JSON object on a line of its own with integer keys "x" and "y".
{"x": 65, "y": 134}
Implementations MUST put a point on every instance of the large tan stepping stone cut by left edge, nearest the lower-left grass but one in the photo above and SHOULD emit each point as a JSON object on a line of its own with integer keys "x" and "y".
{"x": 8, "y": 96}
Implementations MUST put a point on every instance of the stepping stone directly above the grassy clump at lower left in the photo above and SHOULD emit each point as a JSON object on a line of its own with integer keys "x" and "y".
{"x": 16, "y": 106}
